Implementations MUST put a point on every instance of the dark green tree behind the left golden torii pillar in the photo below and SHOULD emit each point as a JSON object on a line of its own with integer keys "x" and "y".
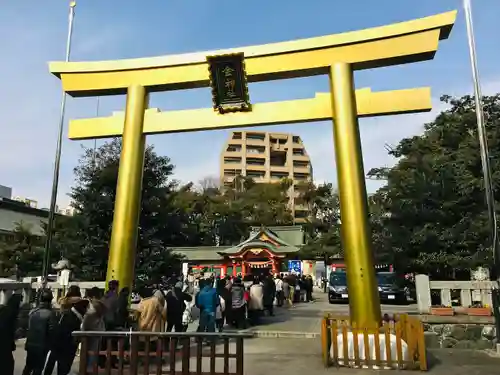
{"x": 93, "y": 197}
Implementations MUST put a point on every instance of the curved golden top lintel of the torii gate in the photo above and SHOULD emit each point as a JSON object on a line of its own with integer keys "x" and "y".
{"x": 398, "y": 43}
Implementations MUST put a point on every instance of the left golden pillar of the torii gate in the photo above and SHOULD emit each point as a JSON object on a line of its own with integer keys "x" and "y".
{"x": 124, "y": 233}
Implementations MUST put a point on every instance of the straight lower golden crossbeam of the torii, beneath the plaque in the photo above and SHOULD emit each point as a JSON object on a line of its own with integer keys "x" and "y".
{"x": 304, "y": 110}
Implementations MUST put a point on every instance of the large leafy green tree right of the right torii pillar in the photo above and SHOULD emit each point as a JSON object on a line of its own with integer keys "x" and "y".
{"x": 435, "y": 218}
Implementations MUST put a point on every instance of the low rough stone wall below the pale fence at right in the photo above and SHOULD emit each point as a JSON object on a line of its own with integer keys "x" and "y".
{"x": 460, "y": 336}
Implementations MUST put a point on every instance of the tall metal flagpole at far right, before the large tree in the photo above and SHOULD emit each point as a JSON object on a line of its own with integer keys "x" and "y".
{"x": 485, "y": 160}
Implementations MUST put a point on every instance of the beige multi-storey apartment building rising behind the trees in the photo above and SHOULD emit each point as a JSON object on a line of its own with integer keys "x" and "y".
{"x": 267, "y": 157}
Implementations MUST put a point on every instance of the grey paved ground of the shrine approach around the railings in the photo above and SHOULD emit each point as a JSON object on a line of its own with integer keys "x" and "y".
{"x": 300, "y": 353}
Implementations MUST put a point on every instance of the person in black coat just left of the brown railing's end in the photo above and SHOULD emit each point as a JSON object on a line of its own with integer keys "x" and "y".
{"x": 64, "y": 345}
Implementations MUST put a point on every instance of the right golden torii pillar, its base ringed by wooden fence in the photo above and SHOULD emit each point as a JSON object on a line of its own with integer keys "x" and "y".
{"x": 356, "y": 237}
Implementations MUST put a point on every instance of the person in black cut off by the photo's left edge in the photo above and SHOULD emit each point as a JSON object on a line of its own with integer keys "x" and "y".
{"x": 8, "y": 324}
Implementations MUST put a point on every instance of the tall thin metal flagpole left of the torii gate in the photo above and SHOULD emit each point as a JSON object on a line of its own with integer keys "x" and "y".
{"x": 57, "y": 161}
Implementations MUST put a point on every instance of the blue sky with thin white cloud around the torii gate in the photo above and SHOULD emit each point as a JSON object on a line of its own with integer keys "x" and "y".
{"x": 34, "y": 32}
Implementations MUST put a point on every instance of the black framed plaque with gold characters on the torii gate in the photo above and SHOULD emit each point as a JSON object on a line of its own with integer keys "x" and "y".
{"x": 229, "y": 83}
